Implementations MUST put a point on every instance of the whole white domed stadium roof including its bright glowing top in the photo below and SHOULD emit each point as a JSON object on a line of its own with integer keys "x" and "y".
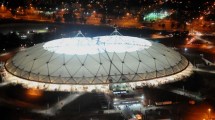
{"x": 98, "y": 60}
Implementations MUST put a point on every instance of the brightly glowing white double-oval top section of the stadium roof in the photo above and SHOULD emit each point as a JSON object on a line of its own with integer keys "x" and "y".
{"x": 84, "y": 45}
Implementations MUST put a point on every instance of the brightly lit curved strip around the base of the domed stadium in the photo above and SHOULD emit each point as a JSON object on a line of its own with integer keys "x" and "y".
{"x": 99, "y": 87}
